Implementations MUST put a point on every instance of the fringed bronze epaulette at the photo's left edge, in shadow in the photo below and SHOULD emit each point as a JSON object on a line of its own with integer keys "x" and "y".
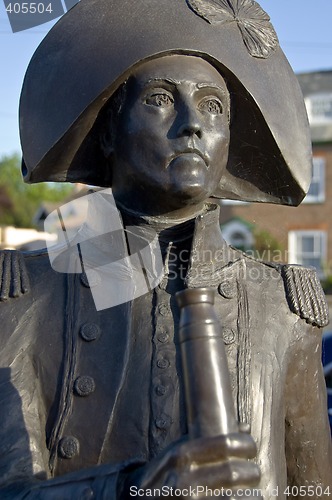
{"x": 14, "y": 280}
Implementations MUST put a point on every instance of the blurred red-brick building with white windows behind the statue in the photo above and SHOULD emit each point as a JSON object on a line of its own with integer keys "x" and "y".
{"x": 303, "y": 234}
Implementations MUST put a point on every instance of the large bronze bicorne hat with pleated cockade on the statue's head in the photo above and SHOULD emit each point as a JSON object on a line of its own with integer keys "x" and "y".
{"x": 94, "y": 48}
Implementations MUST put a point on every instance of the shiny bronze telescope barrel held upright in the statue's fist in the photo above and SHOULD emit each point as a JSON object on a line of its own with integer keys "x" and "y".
{"x": 208, "y": 393}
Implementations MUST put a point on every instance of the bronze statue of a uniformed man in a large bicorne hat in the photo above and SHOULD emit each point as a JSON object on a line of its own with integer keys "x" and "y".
{"x": 171, "y": 104}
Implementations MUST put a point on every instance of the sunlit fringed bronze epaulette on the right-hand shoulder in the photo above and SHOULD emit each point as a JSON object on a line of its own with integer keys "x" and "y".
{"x": 305, "y": 294}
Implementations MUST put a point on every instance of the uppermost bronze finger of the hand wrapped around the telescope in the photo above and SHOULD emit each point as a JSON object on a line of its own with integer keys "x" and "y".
{"x": 215, "y": 449}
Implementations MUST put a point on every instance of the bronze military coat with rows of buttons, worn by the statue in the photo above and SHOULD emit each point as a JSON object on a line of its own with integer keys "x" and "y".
{"x": 83, "y": 388}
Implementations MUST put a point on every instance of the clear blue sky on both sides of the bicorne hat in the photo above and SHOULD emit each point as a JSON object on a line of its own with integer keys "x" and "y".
{"x": 303, "y": 27}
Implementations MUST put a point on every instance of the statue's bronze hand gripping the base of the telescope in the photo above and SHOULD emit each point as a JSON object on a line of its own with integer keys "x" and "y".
{"x": 218, "y": 463}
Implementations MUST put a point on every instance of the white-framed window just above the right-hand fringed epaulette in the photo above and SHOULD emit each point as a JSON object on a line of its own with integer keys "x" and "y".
{"x": 296, "y": 256}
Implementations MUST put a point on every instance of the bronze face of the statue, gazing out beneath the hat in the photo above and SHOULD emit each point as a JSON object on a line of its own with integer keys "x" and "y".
{"x": 171, "y": 143}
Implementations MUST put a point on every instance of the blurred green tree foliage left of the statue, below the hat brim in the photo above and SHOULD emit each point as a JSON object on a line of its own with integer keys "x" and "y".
{"x": 19, "y": 201}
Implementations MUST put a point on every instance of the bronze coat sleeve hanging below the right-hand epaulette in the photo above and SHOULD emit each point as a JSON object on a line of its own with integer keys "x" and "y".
{"x": 308, "y": 439}
